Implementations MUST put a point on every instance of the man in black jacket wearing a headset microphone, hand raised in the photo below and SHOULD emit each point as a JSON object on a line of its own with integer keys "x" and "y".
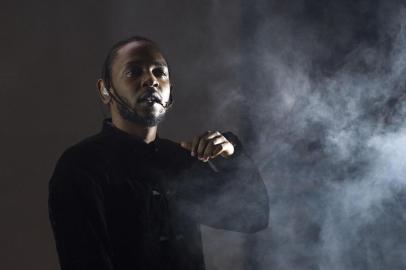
{"x": 127, "y": 199}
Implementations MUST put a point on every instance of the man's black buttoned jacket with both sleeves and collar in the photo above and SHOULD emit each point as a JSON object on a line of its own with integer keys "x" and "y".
{"x": 118, "y": 203}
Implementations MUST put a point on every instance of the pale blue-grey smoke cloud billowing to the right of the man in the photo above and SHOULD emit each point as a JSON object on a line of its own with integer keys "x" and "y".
{"x": 326, "y": 113}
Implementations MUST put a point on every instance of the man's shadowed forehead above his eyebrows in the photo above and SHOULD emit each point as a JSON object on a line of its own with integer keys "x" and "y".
{"x": 138, "y": 51}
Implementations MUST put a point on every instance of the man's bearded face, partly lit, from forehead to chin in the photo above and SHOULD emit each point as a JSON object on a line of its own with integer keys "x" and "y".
{"x": 140, "y": 78}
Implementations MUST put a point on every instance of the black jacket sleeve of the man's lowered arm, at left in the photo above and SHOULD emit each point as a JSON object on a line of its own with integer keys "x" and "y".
{"x": 76, "y": 213}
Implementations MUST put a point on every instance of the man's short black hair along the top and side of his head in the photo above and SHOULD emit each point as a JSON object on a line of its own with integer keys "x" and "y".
{"x": 111, "y": 55}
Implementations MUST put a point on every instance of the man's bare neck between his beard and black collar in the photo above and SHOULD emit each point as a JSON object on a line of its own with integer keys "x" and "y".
{"x": 147, "y": 134}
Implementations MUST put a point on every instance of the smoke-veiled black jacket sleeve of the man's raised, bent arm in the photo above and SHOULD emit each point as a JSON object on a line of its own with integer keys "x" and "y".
{"x": 225, "y": 193}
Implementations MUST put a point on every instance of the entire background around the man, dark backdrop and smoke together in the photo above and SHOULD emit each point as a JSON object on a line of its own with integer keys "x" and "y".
{"x": 315, "y": 89}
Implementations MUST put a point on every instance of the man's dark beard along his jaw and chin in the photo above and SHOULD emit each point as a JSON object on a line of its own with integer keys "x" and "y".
{"x": 129, "y": 113}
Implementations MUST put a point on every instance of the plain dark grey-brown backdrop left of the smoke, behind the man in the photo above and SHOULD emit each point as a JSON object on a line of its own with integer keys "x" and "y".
{"x": 51, "y": 55}
